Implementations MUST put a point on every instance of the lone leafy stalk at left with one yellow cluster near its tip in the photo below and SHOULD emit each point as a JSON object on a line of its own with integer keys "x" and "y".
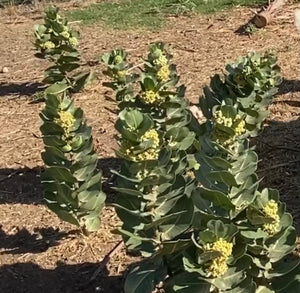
{"x": 72, "y": 184}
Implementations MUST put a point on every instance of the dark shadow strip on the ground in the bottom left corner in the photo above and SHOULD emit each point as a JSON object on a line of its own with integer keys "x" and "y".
{"x": 65, "y": 278}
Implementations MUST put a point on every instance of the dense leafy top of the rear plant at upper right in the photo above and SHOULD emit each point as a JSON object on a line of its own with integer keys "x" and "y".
{"x": 246, "y": 90}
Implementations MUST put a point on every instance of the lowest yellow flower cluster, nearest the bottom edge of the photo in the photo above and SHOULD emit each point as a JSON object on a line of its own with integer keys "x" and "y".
{"x": 218, "y": 266}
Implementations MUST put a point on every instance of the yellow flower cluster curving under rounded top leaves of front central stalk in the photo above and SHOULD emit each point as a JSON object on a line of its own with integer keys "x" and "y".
{"x": 148, "y": 154}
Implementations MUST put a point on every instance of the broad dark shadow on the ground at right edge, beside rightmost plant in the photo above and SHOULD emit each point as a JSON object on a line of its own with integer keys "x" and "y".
{"x": 278, "y": 149}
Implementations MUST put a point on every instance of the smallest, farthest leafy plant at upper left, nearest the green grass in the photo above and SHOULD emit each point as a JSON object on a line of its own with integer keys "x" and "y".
{"x": 57, "y": 42}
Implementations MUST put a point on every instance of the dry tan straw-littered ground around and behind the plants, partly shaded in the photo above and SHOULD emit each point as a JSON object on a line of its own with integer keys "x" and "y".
{"x": 39, "y": 253}
